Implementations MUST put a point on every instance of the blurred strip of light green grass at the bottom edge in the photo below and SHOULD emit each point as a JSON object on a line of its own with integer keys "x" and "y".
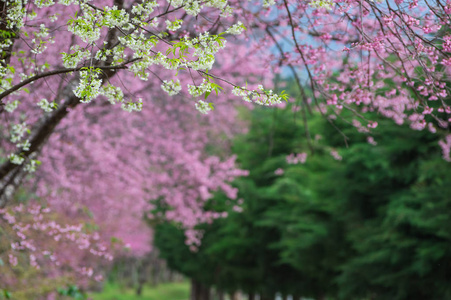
{"x": 165, "y": 291}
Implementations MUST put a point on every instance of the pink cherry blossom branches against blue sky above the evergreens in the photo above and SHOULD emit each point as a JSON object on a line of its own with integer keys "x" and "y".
{"x": 389, "y": 57}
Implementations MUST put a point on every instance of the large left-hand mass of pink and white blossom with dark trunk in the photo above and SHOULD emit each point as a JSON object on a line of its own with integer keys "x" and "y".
{"x": 115, "y": 173}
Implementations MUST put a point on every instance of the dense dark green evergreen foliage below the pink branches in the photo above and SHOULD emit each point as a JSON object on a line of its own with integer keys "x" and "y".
{"x": 371, "y": 224}
